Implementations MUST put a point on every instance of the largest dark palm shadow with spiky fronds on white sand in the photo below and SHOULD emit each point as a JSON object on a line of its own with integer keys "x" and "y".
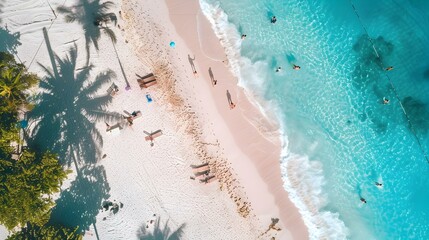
{"x": 66, "y": 111}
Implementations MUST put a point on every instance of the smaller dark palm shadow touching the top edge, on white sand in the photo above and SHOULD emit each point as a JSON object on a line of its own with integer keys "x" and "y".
{"x": 93, "y": 17}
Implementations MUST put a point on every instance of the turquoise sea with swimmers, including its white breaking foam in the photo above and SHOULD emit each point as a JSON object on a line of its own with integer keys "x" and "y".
{"x": 339, "y": 137}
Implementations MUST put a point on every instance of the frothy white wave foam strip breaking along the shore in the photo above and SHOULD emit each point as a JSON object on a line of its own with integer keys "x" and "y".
{"x": 303, "y": 179}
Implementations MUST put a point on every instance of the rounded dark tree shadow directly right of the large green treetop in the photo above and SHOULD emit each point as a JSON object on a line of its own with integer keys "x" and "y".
{"x": 80, "y": 204}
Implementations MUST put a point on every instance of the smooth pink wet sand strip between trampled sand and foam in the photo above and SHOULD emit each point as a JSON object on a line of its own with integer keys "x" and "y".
{"x": 269, "y": 183}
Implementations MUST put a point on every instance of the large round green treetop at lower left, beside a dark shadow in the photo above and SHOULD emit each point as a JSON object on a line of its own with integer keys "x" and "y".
{"x": 26, "y": 187}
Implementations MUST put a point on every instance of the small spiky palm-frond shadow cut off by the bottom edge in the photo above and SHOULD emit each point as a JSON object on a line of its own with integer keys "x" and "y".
{"x": 159, "y": 232}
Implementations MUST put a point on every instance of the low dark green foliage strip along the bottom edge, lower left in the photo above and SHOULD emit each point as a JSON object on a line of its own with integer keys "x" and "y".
{"x": 46, "y": 233}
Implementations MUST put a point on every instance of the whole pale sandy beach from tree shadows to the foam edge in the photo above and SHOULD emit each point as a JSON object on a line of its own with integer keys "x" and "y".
{"x": 241, "y": 147}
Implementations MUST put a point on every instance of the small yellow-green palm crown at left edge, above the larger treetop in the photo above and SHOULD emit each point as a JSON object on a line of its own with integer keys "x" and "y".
{"x": 14, "y": 83}
